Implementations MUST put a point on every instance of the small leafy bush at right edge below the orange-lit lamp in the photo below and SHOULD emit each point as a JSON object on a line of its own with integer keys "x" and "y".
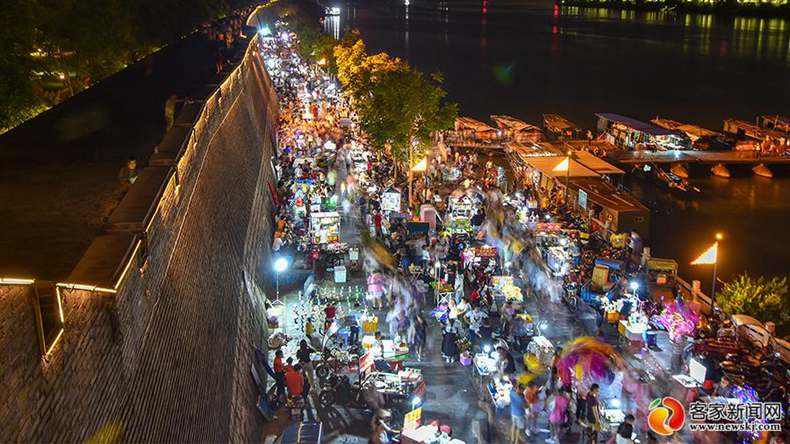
{"x": 760, "y": 298}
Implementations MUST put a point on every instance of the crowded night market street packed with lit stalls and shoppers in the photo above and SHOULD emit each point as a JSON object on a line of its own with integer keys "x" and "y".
{"x": 464, "y": 310}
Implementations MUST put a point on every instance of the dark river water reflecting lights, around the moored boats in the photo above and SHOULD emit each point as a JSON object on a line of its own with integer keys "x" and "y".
{"x": 529, "y": 58}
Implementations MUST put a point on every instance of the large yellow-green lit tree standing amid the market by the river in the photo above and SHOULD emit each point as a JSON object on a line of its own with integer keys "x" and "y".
{"x": 397, "y": 105}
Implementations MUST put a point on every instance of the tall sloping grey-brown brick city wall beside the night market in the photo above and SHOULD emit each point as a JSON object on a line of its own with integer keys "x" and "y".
{"x": 168, "y": 357}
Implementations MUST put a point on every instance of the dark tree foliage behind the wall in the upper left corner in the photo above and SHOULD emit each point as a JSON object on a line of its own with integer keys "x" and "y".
{"x": 53, "y": 49}
